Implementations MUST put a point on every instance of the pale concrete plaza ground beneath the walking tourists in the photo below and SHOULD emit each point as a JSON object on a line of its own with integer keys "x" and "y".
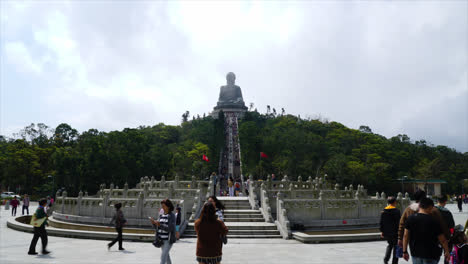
{"x": 14, "y": 246}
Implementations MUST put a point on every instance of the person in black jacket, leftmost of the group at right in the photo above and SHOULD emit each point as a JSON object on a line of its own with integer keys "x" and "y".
{"x": 389, "y": 220}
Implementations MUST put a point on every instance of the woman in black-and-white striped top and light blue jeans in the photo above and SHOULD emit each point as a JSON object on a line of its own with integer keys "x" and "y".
{"x": 166, "y": 230}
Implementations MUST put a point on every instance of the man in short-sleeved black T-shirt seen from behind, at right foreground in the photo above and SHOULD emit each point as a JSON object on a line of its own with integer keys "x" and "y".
{"x": 423, "y": 235}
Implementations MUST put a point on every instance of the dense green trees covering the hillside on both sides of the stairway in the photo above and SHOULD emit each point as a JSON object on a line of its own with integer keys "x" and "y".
{"x": 43, "y": 160}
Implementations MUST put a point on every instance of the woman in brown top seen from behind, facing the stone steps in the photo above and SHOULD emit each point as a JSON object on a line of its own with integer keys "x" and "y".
{"x": 209, "y": 231}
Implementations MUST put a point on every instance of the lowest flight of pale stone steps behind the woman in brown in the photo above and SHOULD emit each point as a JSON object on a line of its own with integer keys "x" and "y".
{"x": 242, "y": 221}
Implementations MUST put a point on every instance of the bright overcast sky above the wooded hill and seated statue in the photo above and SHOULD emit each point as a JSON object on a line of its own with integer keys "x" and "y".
{"x": 399, "y": 67}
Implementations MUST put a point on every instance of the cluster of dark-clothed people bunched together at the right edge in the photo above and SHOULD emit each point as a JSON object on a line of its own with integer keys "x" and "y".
{"x": 428, "y": 230}
